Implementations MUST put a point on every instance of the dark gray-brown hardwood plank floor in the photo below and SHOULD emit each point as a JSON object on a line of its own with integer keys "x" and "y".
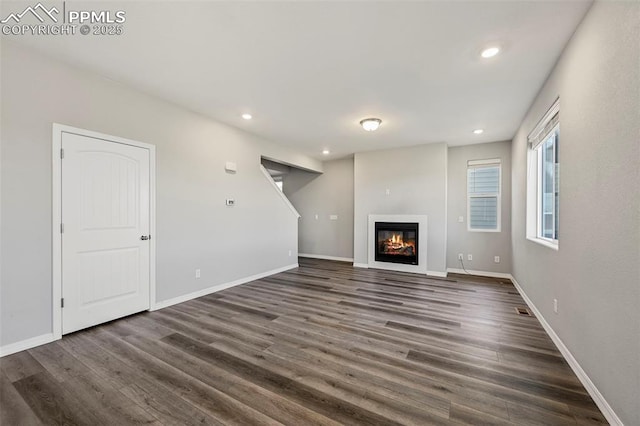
{"x": 324, "y": 344}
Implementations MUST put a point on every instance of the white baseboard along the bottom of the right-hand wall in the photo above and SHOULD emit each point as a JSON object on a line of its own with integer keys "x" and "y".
{"x": 591, "y": 388}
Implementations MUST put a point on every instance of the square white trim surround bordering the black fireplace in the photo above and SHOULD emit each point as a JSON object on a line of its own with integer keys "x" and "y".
{"x": 421, "y": 267}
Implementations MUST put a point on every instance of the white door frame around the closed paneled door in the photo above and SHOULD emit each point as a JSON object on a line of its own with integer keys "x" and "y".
{"x": 56, "y": 217}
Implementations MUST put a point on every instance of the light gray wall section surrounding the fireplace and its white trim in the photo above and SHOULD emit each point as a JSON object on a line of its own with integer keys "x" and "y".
{"x": 417, "y": 180}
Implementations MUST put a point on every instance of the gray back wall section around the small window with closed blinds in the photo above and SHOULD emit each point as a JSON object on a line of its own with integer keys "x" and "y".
{"x": 482, "y": 245}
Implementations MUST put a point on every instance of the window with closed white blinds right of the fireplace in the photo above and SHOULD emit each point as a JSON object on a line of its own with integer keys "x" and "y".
{"x": 483, "y": 195}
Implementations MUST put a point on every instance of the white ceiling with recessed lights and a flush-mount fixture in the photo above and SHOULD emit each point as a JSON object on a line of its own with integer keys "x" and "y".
{"x": 309, "y": 71}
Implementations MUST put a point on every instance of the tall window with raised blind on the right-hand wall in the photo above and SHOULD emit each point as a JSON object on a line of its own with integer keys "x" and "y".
{"x": 543, "y": 180}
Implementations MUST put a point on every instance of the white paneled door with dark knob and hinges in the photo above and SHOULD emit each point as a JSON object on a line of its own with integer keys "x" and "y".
{"x": 106, "y": 222}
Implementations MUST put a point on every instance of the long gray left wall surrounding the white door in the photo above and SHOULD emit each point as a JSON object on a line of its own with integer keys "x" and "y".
{"x": 191, "y": 187}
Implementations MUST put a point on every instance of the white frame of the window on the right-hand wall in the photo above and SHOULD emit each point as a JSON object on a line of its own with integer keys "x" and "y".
{"x": 548, "y": 126}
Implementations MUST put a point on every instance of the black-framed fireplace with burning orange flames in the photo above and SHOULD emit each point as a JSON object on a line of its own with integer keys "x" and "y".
{"x": 396, "y": 242}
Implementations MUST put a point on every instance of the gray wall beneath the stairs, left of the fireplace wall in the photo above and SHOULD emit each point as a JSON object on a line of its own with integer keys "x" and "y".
{"x": 330, "y": 193}
